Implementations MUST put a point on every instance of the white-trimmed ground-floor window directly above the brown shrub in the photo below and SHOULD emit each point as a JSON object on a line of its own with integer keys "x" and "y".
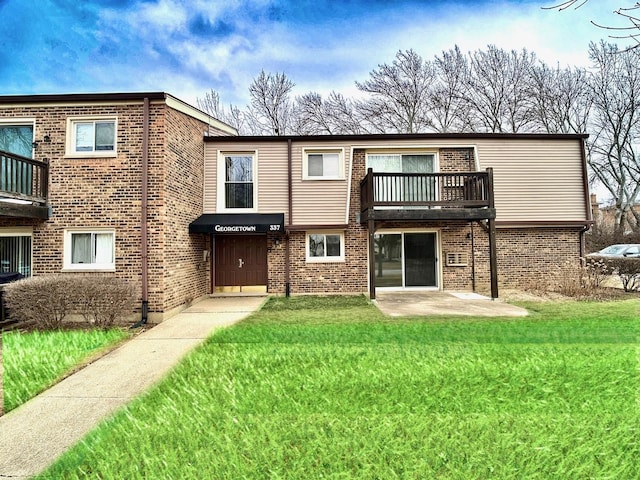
{"x": 89, "y": 250}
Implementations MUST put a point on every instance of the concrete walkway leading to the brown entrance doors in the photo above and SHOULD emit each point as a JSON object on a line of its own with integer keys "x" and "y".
{"x": 36, "y": 433}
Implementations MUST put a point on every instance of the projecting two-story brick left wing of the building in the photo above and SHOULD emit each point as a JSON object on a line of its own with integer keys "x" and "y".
{"x": 105, "y": 183}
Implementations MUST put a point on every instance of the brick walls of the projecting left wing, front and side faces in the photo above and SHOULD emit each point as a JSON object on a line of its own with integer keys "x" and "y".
{"x": 106, "y": 192}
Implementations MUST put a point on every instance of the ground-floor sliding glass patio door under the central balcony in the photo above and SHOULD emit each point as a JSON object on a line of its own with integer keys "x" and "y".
{"x": 406, "y": 259}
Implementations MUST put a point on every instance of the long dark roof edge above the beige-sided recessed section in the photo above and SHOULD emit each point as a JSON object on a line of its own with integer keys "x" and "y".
{"x": 400, "y": 136}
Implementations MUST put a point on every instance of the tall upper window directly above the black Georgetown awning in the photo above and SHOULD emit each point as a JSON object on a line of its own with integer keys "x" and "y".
{"x": 238, "y": 189}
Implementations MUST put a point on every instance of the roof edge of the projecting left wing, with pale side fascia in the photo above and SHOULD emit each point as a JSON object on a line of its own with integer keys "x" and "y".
{"x": 168, "y": 99}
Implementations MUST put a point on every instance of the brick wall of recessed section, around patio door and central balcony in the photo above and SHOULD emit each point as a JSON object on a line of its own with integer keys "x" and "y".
{"x": 526, "y": 256}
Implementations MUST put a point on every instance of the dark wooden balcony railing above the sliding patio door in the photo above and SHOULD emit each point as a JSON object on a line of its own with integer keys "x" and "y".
{"x": 444, "y": 190}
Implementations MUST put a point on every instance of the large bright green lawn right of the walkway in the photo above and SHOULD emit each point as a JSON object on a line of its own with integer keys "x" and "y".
{"x": 329, "y": 388}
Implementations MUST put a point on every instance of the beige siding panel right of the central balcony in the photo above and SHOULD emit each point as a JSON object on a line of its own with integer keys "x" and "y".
{"x": 535, "y": 180}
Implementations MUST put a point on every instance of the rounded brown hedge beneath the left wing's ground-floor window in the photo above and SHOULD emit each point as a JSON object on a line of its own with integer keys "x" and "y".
{"x": 45, "y": 301}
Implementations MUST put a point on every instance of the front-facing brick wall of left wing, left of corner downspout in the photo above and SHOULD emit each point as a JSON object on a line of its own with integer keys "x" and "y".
{"x": 88, "y": 192}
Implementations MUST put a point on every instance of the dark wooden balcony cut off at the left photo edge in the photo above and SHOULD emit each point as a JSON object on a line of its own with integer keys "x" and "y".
{"x": 23, "y": 186}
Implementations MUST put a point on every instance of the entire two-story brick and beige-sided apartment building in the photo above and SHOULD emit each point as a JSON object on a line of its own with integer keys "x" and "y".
{"x": 150, "y": 189}
